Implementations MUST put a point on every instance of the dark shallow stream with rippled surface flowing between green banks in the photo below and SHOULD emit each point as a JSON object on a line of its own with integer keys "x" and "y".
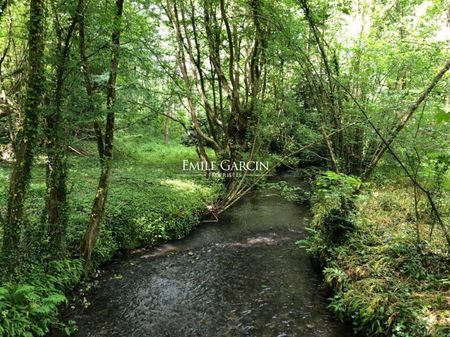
{"x": 242, "y": 276}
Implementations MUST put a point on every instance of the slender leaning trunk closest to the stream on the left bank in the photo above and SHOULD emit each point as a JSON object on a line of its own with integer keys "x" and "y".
{"x": 105, "y": 146}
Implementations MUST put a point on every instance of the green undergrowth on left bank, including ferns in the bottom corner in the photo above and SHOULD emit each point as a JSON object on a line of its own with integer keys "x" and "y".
{"x": 150, "y": 201}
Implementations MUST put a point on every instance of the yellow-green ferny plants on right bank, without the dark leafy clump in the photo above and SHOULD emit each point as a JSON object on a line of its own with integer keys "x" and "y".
{"x": 384, "y": 282}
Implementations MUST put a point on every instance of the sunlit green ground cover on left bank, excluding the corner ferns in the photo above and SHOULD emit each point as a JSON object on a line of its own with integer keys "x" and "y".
{"x": 150, "y": 199}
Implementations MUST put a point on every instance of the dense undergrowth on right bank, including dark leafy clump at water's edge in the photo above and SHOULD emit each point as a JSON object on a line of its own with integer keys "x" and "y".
{"x": 367, "y": 236}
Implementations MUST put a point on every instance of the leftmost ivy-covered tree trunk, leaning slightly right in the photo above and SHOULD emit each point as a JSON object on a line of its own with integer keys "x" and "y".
{"x": 27, "y": 136}
